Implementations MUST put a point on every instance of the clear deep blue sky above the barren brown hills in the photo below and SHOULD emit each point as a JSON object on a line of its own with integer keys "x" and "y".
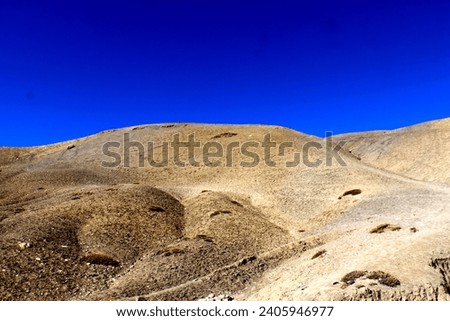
{"x": 74, "y": 68}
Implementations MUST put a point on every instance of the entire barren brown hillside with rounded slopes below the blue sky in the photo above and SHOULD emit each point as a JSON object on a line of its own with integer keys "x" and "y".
{"x": 258, "y": 212}
